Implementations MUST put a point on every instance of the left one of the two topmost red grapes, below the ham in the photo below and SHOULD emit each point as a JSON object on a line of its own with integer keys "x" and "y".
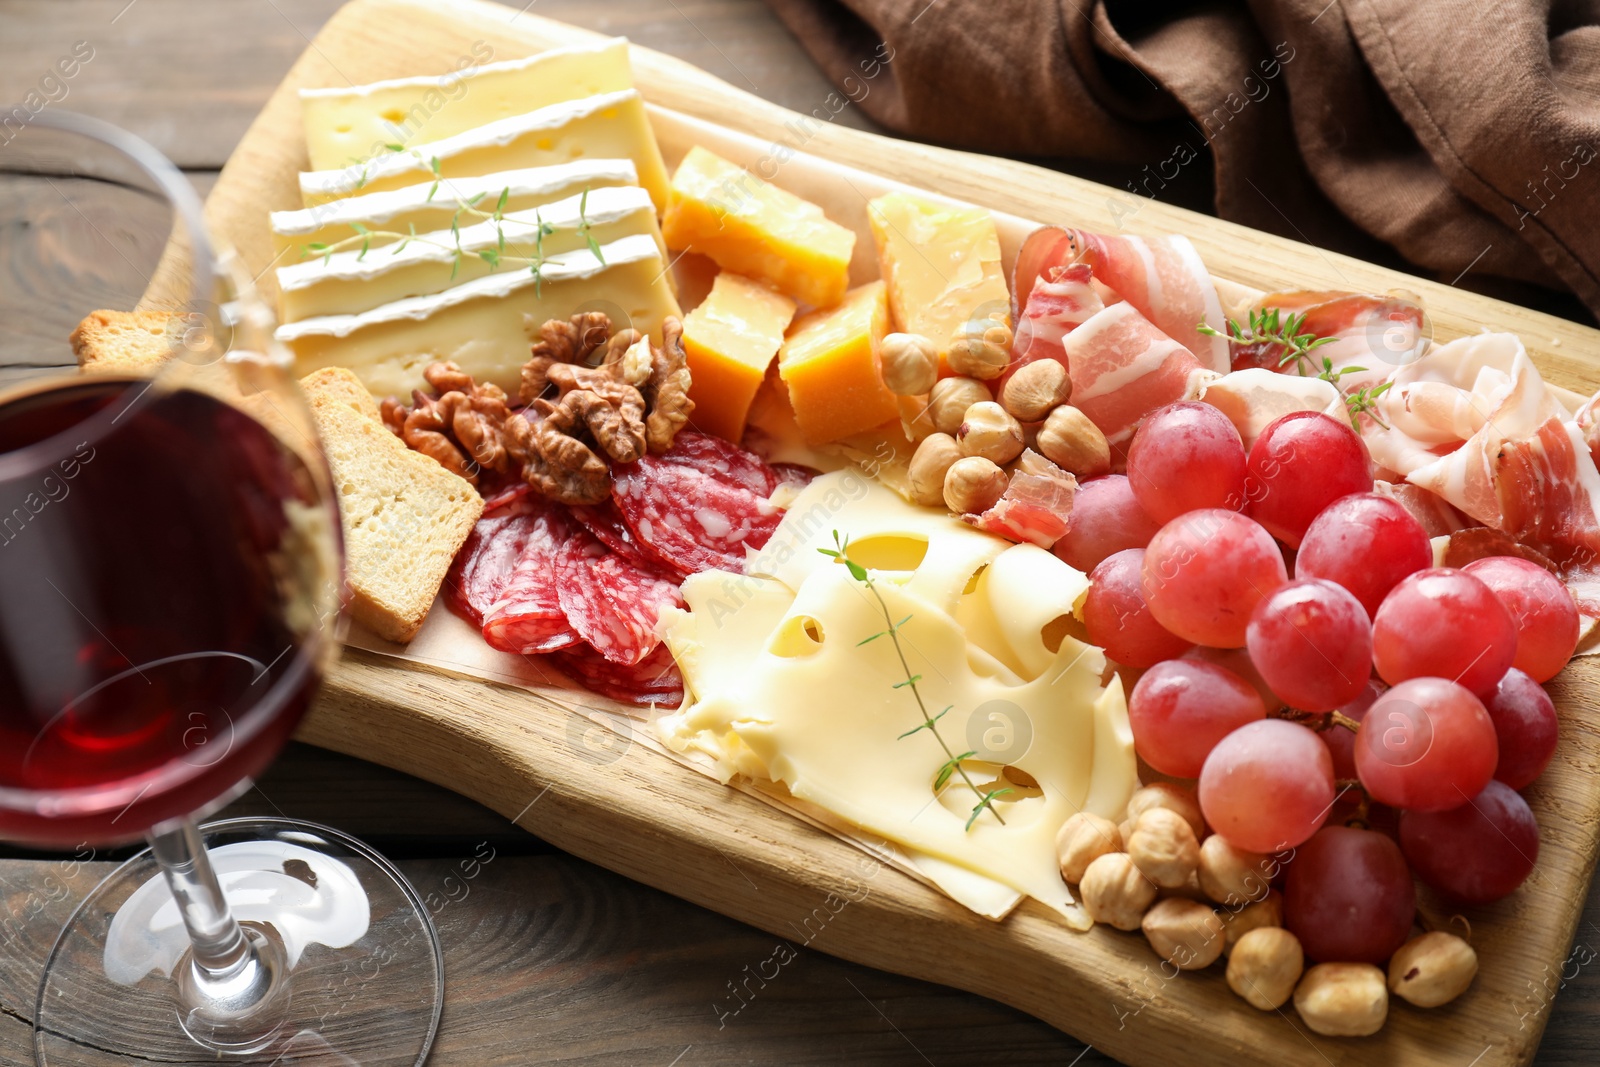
{"x": 1183, "y": 458}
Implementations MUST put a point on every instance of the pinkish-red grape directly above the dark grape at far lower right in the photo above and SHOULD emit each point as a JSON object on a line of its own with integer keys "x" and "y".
{"x": 1426, "y": 745}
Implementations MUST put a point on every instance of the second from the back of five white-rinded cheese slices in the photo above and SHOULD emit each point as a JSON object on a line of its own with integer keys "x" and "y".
{"x": 610, "y": 126}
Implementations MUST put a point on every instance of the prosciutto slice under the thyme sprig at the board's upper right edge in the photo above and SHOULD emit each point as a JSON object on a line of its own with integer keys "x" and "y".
{"x": 1378, "y": 332}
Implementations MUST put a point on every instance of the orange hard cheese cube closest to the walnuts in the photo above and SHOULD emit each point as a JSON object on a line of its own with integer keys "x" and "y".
{"x": 730, "y": 342}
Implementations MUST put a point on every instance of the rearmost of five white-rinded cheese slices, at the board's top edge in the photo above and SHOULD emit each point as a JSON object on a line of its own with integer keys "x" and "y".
{"x": 351, "y": 126}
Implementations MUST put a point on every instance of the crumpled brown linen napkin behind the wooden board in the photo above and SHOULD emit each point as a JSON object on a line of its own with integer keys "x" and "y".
{"x": 1460, "y": 135}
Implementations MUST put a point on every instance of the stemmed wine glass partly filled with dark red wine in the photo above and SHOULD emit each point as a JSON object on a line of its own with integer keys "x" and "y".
{"x": 170, "y": 578}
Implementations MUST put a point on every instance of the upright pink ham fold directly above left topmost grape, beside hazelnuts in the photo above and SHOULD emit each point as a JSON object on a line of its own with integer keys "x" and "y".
{"x": 1122, "y": 369}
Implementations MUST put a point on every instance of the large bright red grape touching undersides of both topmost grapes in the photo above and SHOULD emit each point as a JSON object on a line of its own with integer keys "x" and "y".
{"x": 1206, "y": 573}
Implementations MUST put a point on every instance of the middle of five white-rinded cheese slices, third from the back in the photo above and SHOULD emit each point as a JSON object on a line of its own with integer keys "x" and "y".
{"x": 423, "y": 209}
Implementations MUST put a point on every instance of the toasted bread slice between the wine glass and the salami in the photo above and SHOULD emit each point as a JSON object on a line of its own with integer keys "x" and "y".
{"x": 406, "y": 518}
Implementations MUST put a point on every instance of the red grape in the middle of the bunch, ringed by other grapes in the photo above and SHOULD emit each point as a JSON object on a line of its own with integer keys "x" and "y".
{"x": 1313, "y": 644}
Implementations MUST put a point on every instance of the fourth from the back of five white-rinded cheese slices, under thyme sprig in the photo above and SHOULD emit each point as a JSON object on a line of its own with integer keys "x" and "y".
{"x": 353, "y": 282}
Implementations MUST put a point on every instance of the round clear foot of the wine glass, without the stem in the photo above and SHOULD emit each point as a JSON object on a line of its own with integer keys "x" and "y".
{"x": 362, "y": 977}
